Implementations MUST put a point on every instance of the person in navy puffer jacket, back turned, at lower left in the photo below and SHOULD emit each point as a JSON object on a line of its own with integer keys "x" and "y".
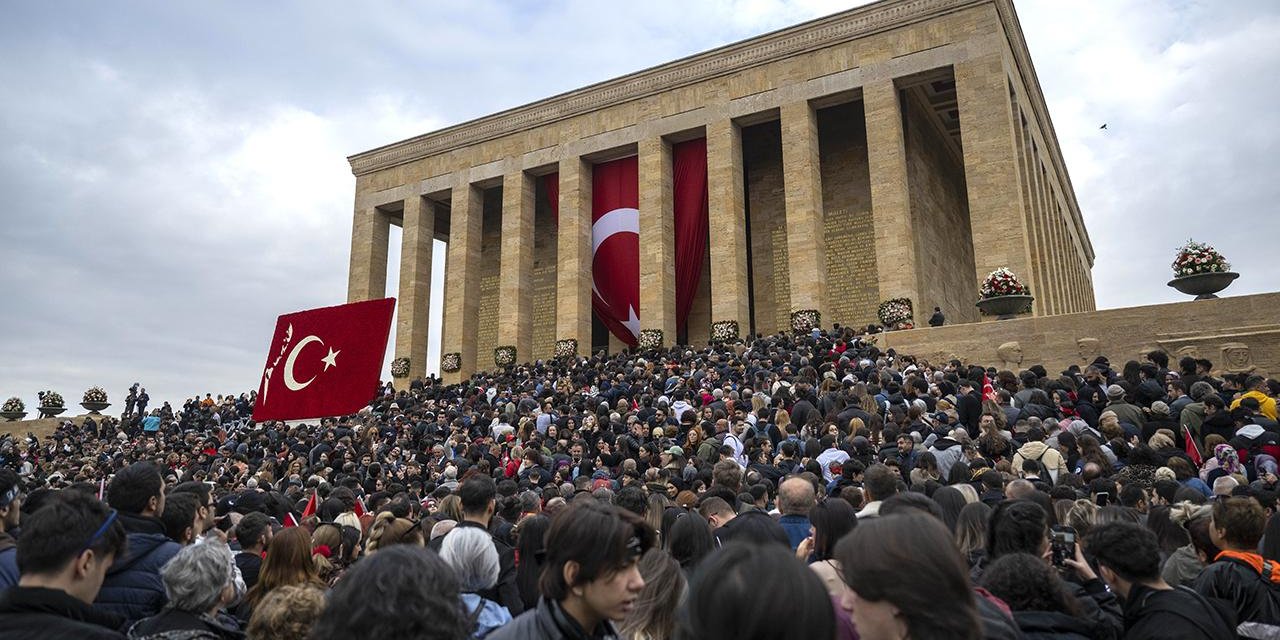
{"x": 134, "y": 589}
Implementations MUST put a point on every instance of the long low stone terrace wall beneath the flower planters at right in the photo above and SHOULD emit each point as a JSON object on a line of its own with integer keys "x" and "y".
{"x": 1238, "y": 335}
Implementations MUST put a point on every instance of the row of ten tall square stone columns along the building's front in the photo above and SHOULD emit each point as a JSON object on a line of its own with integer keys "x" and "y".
{"x": 991, "y": 168}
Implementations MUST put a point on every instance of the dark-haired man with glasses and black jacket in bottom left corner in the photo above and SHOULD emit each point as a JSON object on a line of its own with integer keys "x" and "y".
{"x": 68, "y": 547}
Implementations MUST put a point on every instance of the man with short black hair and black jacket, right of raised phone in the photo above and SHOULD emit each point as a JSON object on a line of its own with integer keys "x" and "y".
{"x": 1128, "y": 559}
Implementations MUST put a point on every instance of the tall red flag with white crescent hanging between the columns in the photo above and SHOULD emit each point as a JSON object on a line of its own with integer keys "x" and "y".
{"x": 616, "y": 248}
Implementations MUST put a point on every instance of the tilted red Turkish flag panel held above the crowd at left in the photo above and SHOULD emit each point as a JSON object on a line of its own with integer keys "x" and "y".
{"x": 324, "y": 362}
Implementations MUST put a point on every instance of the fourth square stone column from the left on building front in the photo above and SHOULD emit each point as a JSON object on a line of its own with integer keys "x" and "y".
{"x": 516, "y": 271}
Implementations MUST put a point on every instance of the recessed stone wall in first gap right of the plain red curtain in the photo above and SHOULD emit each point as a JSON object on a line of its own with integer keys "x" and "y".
{"x": 762, "y": 166}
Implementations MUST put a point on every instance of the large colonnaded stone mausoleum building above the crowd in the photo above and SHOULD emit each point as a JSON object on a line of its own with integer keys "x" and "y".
{"x": 902, "y": 149}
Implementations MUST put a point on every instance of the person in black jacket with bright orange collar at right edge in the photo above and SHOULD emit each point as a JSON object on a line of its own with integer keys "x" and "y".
{"x": 1240, "y": 575}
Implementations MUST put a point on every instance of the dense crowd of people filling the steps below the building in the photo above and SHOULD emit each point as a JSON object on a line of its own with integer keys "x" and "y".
{"x": 808, "y": 486}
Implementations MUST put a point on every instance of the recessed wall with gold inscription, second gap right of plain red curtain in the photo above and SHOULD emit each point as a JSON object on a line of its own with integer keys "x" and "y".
{"x": 853, "y": 289}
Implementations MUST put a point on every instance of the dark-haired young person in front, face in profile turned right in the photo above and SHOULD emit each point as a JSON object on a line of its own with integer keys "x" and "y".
{"x": 592, "y": 575}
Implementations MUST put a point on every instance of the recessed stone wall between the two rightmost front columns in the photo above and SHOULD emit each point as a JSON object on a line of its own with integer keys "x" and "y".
{"x": 944, "y": 254}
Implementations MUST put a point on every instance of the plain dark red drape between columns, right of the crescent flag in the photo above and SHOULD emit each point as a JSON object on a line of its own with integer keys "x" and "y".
{"x": 689, "y": 188}
